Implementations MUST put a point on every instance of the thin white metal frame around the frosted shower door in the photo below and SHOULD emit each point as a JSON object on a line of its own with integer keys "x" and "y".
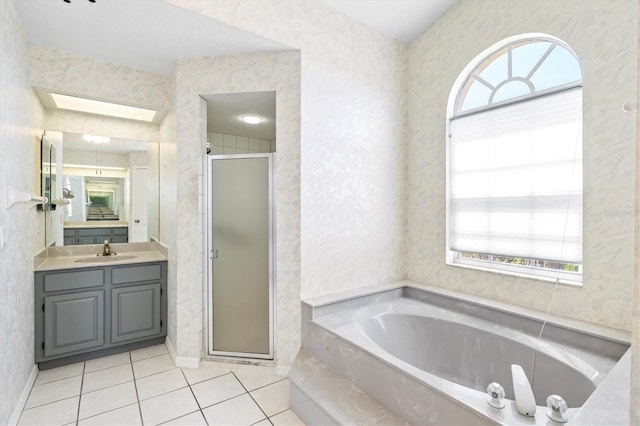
{"x": 210, "y": 258}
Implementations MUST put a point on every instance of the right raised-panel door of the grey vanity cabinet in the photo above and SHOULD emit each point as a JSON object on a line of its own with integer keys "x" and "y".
{"x": 135, "y": 312}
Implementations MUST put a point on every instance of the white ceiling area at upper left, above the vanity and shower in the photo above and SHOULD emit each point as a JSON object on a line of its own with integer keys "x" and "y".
{"x": 148, "y": 35}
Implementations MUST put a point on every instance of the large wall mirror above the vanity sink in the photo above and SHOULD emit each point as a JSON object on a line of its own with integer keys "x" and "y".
{"x": 110, "y": 190}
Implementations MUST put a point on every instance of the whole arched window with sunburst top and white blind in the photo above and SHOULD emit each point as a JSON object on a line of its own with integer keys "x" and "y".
{"x": 515, "y": 160}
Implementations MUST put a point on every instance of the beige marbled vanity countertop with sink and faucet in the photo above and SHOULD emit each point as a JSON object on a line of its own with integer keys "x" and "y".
{"x": 66, "y": 257}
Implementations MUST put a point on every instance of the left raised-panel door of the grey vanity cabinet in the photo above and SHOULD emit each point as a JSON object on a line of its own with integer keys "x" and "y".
{"x": 73, "y": 322}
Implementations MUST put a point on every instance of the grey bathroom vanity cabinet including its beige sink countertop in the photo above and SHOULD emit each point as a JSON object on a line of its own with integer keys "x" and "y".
{"x": 88, "y": 306}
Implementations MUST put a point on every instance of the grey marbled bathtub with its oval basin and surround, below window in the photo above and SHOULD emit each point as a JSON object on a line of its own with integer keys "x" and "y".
{"x": 429, "y": 358}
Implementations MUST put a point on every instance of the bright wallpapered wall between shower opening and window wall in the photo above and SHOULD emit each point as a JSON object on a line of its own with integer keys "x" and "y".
{"x": 352, "y": 130}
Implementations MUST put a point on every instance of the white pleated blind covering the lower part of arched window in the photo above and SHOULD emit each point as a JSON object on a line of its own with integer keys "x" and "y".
{"x": 516, "y": 179}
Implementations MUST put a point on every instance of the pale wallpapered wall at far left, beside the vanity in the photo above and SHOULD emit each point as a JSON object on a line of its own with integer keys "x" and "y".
{"x": 20, "y": 118}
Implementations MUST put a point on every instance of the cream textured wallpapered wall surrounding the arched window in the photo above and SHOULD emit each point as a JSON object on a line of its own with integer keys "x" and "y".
{"x": 604, "y": 36}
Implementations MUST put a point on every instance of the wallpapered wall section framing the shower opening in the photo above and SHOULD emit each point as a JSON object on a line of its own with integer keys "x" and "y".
{"x": 227, "y": 74}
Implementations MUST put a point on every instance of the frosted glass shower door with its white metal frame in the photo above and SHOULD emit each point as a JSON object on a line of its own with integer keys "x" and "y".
{"x": 240, "y": 255}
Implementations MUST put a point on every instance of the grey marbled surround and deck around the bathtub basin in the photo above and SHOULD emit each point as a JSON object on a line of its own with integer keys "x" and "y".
{"x": 330, "y": 334}
